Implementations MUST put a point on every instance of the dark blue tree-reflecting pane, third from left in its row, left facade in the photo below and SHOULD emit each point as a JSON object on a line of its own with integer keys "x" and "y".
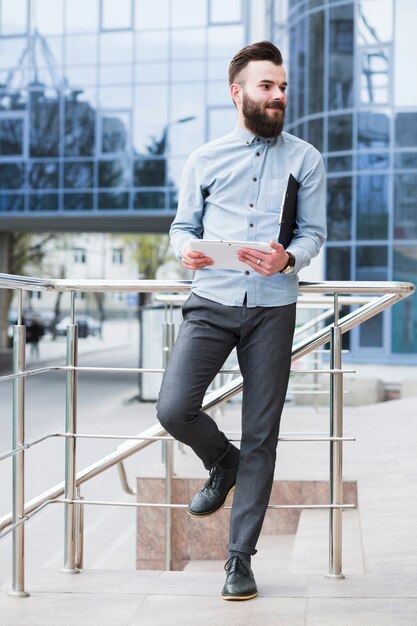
{"x": 80, "y": 120}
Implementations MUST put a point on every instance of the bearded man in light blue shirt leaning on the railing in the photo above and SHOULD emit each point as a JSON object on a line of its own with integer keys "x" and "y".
{"x": 232, "y": 189}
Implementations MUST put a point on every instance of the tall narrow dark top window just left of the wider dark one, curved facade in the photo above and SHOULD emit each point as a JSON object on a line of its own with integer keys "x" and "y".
{"x": 316, "y": 62}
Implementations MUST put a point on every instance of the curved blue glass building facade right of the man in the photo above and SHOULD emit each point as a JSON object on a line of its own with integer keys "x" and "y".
{"x": 353, "y": 94}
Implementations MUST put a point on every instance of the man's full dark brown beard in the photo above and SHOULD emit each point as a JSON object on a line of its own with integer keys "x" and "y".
{"x": 257, "y": 119}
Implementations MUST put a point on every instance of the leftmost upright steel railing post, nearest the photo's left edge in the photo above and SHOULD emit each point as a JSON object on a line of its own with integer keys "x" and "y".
{"x": 18, "y": 463}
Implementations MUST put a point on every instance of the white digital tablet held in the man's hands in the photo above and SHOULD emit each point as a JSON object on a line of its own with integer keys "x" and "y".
{"x": 224, "y": 253}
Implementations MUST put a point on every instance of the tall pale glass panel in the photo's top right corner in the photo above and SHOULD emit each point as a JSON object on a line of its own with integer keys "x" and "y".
{"x": 405, "y": 88}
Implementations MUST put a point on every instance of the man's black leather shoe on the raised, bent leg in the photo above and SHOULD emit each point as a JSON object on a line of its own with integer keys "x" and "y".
{"x": 214, "y": 494}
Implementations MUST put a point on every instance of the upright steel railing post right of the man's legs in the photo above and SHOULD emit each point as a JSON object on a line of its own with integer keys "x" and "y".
{"x": 336, "y": 448}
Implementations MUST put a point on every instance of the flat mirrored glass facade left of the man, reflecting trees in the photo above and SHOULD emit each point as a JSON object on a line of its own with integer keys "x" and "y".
{"x": 101, "y": 101}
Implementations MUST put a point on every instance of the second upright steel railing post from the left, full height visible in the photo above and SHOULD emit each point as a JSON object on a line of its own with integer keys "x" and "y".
{"x": 70, "y": 447}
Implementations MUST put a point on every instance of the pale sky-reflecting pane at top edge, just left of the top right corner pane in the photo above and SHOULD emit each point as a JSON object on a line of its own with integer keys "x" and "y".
{"x": 375, "y": 21}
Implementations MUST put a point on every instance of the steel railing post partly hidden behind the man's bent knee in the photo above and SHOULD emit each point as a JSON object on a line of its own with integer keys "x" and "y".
{"x": 168, "y": 334}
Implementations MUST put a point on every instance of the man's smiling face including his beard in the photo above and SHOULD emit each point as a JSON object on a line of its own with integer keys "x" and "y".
{"x": 263, "y": 99}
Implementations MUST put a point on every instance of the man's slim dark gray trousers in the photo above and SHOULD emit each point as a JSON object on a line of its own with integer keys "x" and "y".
{"x": 263, "y": 339}
